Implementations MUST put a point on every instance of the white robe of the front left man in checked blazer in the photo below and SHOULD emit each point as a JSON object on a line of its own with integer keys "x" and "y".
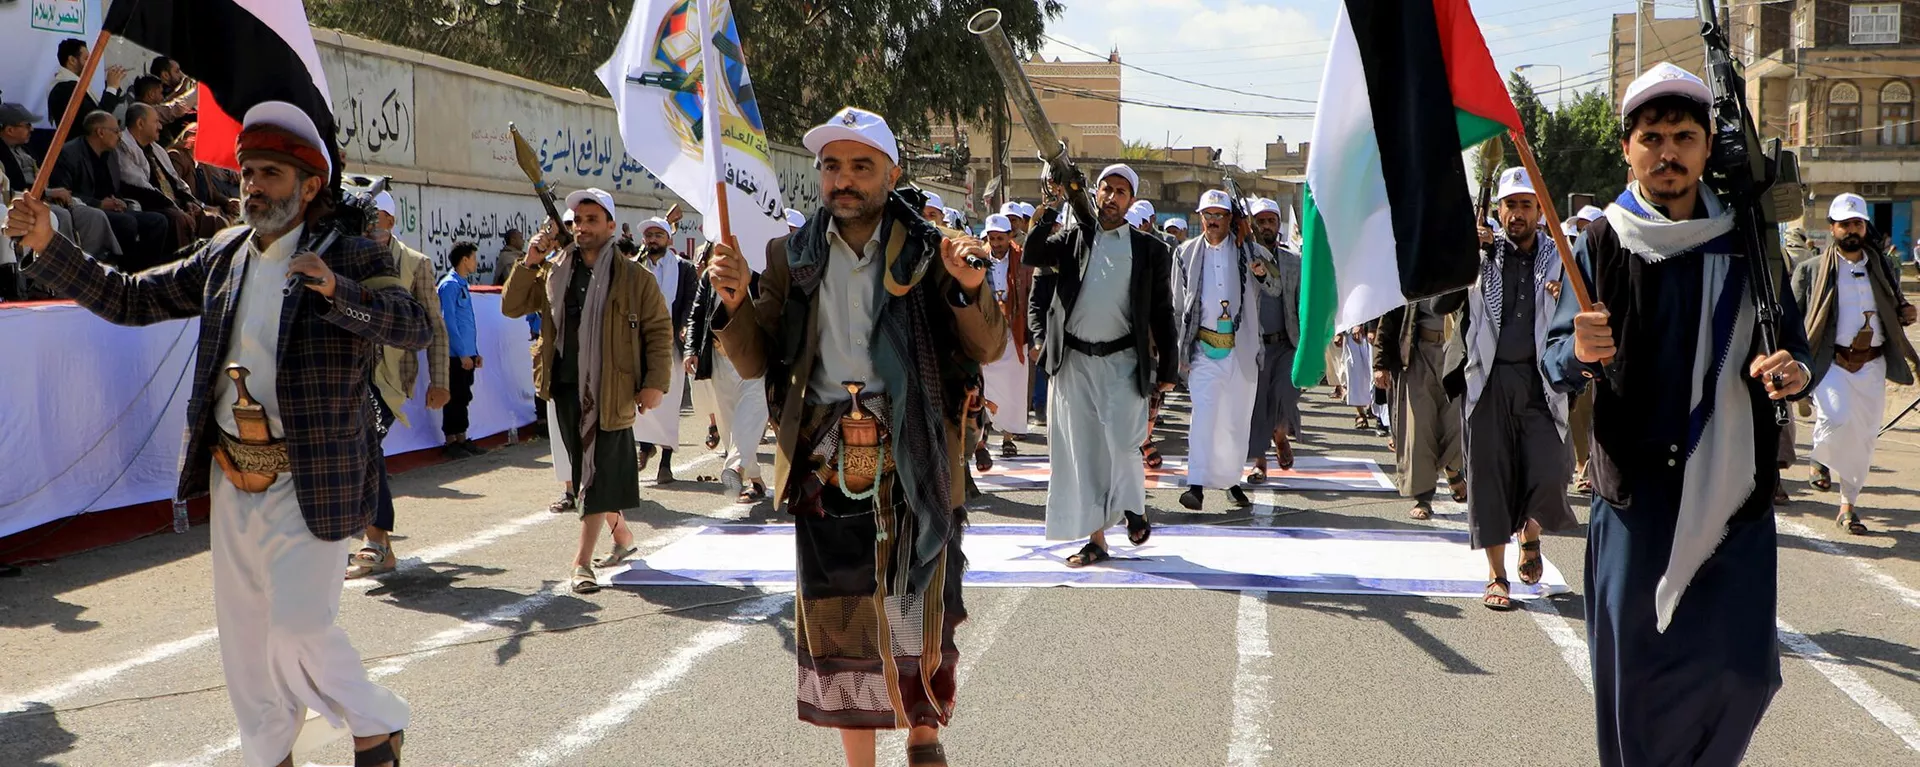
{"x": 276, "y": 585}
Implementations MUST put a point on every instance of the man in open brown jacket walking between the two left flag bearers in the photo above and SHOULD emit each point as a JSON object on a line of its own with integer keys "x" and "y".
{"x": 606, "y": 351}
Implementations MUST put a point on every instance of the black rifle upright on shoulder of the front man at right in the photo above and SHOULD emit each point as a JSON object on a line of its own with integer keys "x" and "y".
{"x": 1748, "y": 178}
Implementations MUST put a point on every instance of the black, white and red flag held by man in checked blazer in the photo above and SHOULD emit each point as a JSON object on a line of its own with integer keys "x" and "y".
{"x": 243, "y": 53}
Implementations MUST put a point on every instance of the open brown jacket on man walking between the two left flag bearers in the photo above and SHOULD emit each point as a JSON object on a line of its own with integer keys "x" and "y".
{"x": 640, "y": 335}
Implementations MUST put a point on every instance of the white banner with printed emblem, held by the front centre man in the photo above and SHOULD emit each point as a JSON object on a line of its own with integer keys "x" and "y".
{"x": 656, "y": 78}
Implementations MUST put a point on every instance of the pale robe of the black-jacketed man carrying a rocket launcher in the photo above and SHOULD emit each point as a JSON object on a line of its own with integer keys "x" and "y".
{"x": 1095, "y": 410}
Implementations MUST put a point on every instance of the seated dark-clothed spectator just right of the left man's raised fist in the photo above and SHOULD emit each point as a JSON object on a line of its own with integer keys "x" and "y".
{"x": 89, "y": 168}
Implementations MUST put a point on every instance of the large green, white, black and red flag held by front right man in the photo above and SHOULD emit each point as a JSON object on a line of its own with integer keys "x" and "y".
{"x": 1387, "y": 214}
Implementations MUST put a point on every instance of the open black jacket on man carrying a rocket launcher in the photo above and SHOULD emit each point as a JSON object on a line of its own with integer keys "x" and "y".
{"x": 1151, "y": 295}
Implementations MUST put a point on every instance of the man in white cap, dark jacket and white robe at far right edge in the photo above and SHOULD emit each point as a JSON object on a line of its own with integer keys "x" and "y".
{"x": 1850, "y": 293}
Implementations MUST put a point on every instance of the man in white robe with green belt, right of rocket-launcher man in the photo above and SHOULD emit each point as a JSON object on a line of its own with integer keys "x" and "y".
{"x": 1218, "y": 282}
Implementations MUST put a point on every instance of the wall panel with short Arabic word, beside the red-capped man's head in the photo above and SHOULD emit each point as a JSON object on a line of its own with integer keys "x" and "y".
{"x": 373, "y": 107}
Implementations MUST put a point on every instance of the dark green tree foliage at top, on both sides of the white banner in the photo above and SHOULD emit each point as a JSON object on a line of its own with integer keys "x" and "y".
{"x": 911, "y": 61}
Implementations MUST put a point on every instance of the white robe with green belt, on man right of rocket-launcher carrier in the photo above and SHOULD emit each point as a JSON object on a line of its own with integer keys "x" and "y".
{"x": 1222, "y": 391}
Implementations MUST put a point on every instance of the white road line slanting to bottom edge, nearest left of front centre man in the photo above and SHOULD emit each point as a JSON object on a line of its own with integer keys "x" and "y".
{"x": 596, "y": 726}
